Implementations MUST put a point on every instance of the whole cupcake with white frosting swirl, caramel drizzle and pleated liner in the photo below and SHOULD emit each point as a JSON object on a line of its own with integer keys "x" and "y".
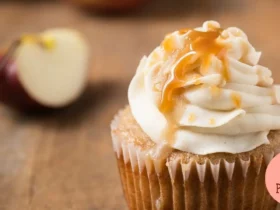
{"x": 202, "y": 124}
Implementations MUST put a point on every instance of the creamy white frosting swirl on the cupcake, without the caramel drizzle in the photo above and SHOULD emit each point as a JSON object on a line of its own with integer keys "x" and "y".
{"x": 212, "y": 113}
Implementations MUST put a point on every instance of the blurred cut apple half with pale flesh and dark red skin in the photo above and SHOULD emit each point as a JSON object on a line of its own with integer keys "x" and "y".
{"x": 44, "y": 70}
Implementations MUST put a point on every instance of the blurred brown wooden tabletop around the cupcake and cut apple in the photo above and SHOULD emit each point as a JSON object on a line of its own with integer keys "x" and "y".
{"x": 64, "y": 160}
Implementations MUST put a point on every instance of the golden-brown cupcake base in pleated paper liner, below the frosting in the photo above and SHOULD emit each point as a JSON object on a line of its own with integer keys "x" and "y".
{"x": 155, "y": 178}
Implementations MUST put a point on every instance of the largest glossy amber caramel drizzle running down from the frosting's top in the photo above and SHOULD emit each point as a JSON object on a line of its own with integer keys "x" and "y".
{"x": 197, "y": 52}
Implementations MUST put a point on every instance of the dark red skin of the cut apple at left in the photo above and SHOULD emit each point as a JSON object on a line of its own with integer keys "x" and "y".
{"x": 12, "y": 92}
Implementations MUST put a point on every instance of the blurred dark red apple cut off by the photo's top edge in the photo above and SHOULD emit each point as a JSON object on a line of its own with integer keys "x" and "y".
{"x": 107, "y": 5}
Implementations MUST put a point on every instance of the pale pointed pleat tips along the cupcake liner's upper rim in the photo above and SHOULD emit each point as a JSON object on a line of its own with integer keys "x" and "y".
{"x": 142, "y": 159}
